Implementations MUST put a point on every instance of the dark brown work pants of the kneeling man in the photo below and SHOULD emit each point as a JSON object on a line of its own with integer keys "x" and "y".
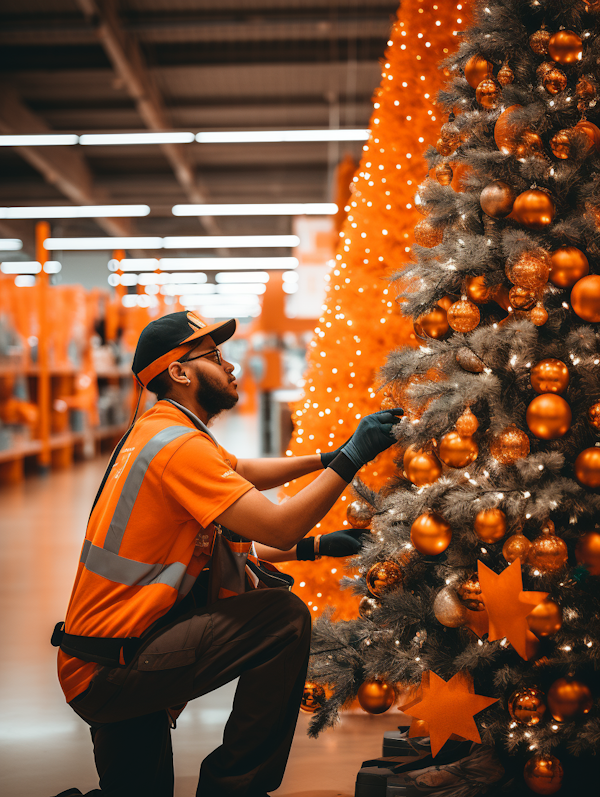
{"x": 261, "y": 636}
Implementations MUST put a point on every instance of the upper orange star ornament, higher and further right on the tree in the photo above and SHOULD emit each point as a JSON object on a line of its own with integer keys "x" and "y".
{"x": 508, "y": 605}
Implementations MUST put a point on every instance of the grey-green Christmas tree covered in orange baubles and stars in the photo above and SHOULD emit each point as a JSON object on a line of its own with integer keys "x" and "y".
{"x": 480, "y": 579}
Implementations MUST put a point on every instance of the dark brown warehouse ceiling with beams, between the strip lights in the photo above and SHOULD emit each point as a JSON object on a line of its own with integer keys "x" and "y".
{"x": 195, "y": 65}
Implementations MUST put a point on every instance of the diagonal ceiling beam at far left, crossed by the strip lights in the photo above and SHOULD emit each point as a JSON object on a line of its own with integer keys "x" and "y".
{"x": 65, "y": 168}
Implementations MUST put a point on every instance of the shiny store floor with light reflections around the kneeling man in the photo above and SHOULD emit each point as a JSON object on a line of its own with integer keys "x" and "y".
{"x": 46, "y": 747}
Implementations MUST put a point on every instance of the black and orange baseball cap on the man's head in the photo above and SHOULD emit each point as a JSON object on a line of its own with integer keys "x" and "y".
{"x": 168, "y": 338}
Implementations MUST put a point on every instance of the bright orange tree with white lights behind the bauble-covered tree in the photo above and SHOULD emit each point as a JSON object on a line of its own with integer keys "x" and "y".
{"x": 359, "y": 321}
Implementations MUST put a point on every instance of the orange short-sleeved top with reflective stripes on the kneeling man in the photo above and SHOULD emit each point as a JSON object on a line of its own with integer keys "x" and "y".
{"x": 149, "y": 535}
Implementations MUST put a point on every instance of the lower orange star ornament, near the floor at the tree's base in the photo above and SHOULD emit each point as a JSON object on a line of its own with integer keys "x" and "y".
{"x": 448, "y": 707}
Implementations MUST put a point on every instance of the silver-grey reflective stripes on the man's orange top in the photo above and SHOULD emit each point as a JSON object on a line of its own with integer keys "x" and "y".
{"x": 105, "y": 561}
